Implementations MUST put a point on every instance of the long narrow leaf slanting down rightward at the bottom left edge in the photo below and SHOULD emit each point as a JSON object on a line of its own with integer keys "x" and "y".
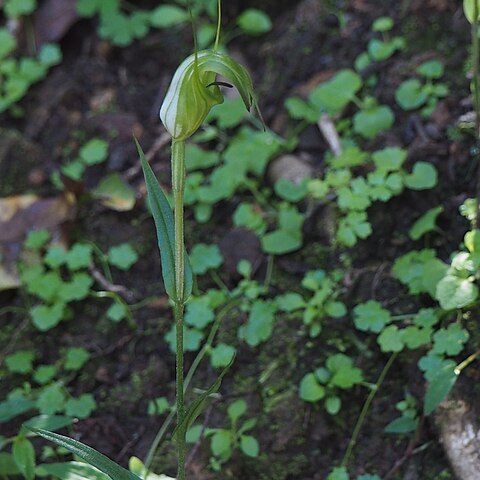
{"x": 90, "y": 455}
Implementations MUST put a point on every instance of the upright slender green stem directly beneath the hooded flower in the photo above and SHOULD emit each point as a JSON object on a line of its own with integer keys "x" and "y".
{"x": 178, "y": 187}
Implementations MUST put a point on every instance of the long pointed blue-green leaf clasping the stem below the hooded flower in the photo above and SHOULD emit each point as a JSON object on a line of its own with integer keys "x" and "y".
{"x": 163, "y": 217}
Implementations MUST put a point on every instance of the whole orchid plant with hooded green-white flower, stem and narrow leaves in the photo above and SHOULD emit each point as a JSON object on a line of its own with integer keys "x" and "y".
{"x": 194, "y": 90}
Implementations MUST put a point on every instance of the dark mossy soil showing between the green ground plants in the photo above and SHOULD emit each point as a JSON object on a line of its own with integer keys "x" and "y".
{"x": 111, "y": 92}
